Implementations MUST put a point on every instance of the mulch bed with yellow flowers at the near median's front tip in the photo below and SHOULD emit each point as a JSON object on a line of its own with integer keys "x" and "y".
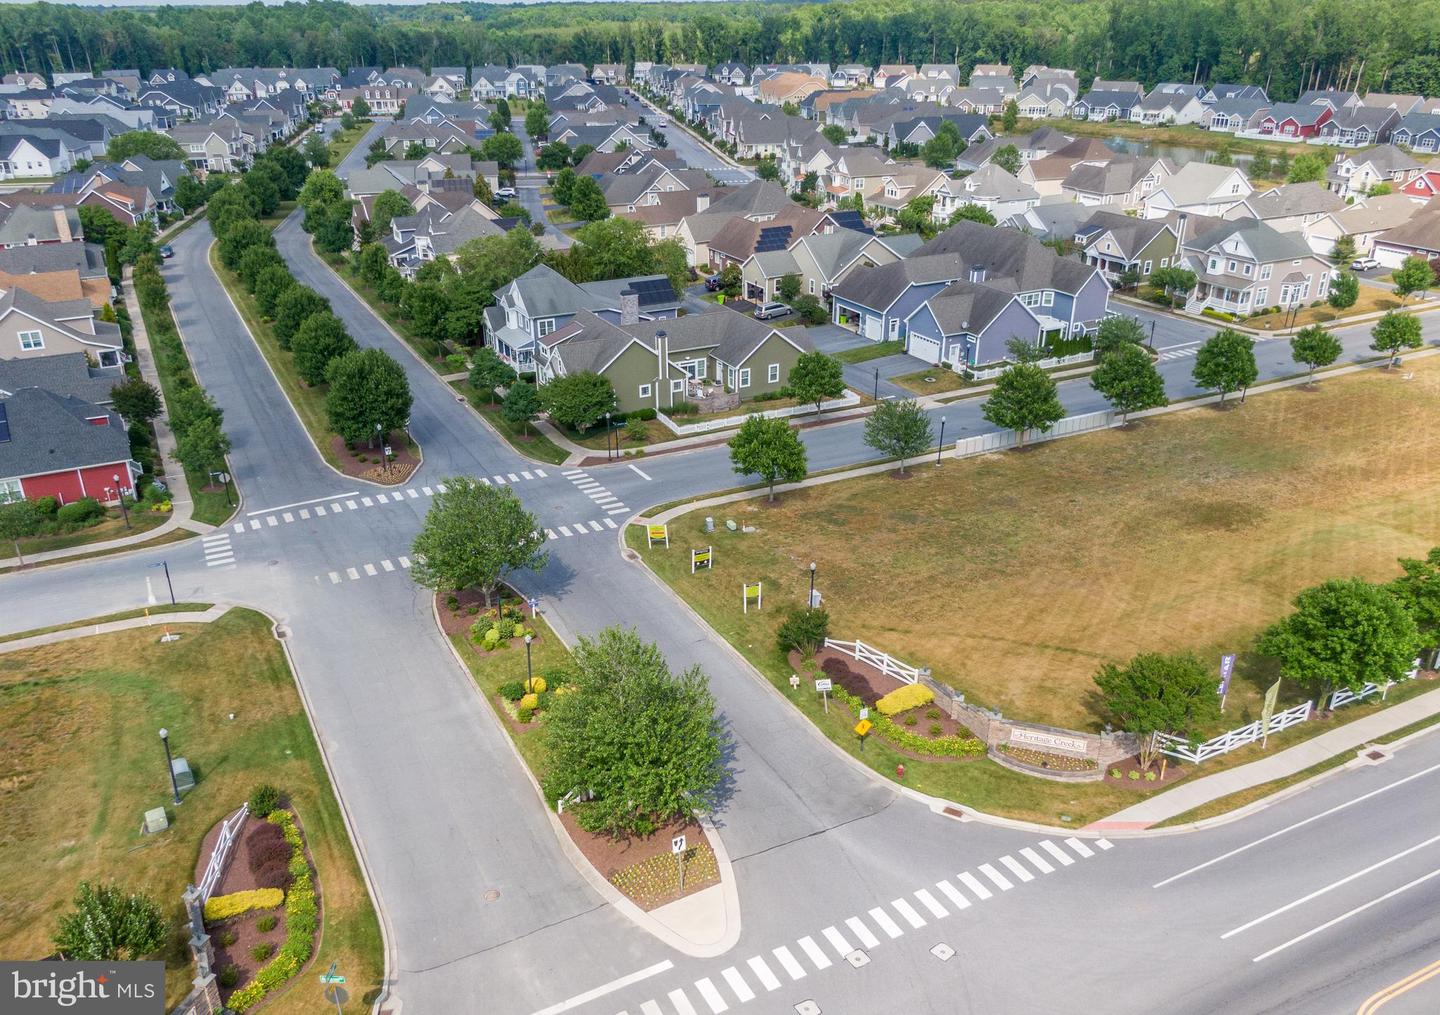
{"x": 644, "y": 870}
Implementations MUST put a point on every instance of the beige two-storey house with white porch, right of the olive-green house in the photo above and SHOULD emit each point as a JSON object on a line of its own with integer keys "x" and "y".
{"x": 1245, "y": 266}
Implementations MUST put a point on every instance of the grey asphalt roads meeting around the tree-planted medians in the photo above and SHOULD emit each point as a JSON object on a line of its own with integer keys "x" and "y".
{"x": 444, "y": 811}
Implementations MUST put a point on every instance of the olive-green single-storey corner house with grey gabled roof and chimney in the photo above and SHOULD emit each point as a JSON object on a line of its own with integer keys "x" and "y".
{"x": 654, "y": 365}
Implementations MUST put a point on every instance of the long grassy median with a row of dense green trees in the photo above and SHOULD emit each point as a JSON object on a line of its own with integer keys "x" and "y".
{"x": 354, "y": 402}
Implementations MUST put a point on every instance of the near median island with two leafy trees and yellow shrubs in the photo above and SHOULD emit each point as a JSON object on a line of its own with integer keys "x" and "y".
{"x": 577, "y": 716}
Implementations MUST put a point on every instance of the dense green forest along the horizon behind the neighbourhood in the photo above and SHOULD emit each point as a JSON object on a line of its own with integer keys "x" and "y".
{"x": 1288, "y": 45}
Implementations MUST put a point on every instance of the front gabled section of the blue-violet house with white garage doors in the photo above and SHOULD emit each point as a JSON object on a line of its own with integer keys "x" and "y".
{"x": 970, "y": 323}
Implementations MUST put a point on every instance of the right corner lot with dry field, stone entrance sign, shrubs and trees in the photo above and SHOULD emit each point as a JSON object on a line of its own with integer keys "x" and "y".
{"x": 1180, "y": 539}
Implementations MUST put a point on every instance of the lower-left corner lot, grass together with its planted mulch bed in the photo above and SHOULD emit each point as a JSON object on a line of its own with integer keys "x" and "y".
{"x": 83, "y": 718}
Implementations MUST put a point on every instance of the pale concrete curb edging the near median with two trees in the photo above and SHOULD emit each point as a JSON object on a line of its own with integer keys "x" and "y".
{"x": 587, "y": 870}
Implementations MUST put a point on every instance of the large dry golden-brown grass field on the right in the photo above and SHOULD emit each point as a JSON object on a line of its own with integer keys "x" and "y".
{"x": 1192, "y": 532}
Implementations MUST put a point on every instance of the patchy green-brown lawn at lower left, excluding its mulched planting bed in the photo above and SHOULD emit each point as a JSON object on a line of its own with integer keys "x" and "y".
{"x": 81, "y": 722}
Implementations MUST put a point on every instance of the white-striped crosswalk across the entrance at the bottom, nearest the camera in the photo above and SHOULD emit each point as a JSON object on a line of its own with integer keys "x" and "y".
{"x": 850, "y": 939}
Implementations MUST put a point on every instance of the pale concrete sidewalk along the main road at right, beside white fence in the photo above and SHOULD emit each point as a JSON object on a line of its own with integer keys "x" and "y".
{"x": 1288, "y": 762}
